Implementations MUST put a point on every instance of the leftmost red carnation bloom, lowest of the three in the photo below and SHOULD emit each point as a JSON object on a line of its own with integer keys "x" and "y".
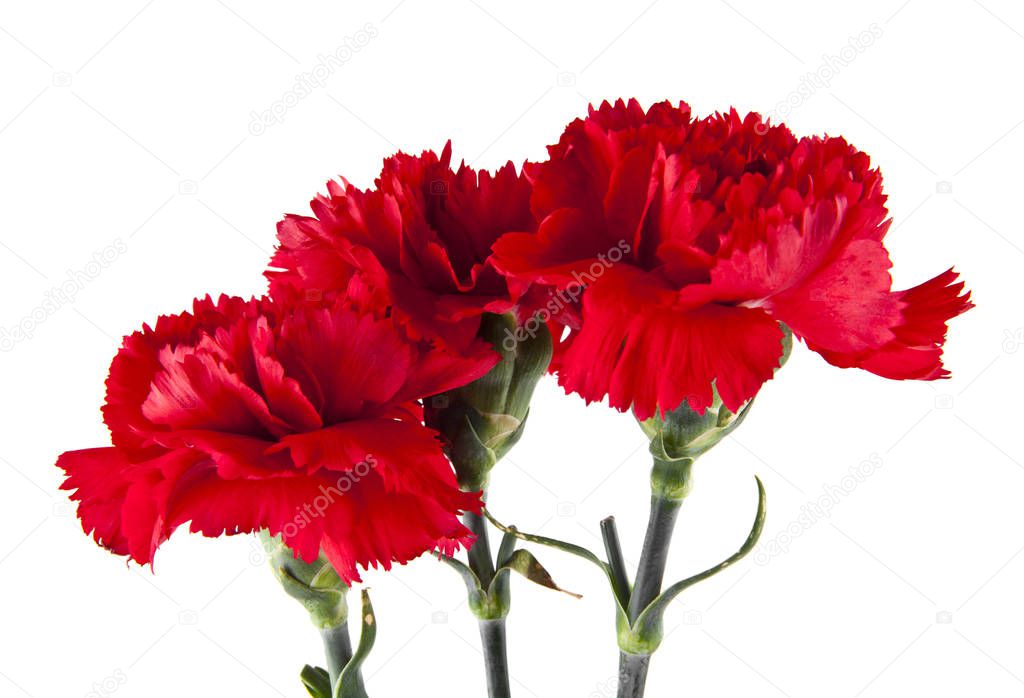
{"x": 302, "y": 420}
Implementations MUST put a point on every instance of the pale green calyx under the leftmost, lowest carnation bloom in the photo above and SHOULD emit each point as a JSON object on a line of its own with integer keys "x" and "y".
{"x": 317, "y": 586}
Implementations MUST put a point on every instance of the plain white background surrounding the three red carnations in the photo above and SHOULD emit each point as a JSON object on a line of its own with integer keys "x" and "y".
{"x": 127, "y": 124}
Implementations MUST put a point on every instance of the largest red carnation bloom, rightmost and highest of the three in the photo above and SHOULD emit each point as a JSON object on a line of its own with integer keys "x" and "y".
{"x": 696, "y": 240}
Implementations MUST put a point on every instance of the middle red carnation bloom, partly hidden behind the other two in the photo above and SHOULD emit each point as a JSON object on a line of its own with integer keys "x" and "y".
{"x": 419, "y": 244}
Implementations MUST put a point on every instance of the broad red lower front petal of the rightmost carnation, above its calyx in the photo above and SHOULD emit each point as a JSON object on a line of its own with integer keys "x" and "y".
{"x": 644, "y": 353}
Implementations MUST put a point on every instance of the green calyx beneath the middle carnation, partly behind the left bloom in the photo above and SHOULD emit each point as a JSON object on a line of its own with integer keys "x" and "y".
{"x": 484, "y": 420}
